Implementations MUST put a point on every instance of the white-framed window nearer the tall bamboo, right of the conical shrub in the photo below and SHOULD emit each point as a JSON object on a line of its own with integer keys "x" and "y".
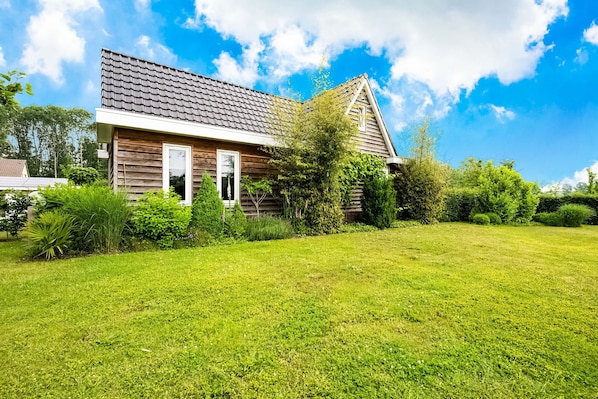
{"x": 228, "y": 173}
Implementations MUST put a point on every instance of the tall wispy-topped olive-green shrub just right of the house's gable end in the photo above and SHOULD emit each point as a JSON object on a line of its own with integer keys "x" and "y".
{"x": 421, "y": 181}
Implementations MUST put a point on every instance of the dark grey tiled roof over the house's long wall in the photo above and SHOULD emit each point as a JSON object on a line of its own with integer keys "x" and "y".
{"x": 135, "y": 85}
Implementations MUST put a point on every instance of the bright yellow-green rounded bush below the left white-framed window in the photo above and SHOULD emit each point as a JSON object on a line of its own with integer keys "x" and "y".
{"x": 161, "y": 218}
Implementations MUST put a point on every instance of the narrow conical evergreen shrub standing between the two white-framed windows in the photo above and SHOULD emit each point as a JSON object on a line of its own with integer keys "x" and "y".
{"x": 208, "y": 208}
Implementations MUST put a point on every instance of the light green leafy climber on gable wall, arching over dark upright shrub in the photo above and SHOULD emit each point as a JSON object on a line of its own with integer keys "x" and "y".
{"x": 356, "y": 169}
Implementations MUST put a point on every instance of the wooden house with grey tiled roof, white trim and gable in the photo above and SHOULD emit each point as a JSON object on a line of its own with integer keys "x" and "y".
{"x": 165, "y": 127}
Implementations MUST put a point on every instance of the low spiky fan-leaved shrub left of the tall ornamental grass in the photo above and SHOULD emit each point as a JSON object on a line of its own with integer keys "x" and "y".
{"x": 49, "y": 234}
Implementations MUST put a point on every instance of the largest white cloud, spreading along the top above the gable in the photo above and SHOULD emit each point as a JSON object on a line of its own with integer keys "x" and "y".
{"x": 445, "y": 48}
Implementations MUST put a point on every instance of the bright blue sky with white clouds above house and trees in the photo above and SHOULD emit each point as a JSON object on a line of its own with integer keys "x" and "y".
{"x": 509, "y": 79}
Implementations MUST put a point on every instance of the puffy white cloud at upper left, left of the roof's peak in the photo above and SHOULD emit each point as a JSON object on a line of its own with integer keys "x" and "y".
{"x": 53, "y": 38}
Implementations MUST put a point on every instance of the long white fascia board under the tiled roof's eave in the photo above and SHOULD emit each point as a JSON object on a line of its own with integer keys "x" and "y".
{"x": 113, "y": 118}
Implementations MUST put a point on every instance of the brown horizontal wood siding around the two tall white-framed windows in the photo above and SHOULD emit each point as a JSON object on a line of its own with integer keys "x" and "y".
{"x": 139, "y": 164}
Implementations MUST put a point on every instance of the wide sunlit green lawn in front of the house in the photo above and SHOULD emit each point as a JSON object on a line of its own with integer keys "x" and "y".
{"x": 450, "y": 310}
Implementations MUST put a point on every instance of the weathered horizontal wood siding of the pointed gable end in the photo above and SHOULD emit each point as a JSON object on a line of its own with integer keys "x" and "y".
{"x": 369, "y": 140}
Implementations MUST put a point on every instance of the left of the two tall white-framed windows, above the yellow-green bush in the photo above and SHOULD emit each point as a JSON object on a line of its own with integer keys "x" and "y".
{"x": 176, "y": 170}
